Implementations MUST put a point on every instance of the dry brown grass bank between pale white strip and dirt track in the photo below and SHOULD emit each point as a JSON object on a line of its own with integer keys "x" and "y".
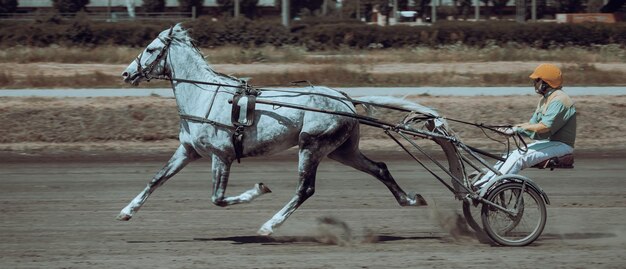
{"x": 107, "y": 119}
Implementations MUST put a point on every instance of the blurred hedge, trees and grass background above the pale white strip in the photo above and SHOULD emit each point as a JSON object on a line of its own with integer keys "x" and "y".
{"x": 341, "y": 43}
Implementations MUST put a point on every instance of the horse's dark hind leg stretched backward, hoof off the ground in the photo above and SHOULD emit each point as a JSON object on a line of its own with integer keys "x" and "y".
{"x": 350, "y": 155}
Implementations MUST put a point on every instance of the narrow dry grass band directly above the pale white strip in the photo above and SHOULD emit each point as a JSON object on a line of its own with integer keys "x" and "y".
{"x": 577, "y": 75}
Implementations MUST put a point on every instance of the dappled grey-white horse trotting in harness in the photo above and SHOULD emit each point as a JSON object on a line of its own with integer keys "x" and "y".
{"x": 208, "y": 131}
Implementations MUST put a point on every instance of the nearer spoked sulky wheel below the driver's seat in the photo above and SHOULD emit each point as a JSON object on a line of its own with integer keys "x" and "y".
{"x": 519, "y": 217}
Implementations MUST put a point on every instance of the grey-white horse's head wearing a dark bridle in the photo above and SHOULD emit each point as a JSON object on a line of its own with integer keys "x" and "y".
{"x": 152, "y": 61}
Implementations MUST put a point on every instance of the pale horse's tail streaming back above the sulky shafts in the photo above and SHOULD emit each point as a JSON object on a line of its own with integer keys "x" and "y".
{"x": 370, "y": 103}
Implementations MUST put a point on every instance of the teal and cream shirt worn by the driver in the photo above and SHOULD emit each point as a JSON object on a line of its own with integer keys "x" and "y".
{"x": 557, "y": 112}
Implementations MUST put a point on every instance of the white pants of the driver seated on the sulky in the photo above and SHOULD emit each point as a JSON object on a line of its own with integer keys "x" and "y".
{"x": 518, "y": 160}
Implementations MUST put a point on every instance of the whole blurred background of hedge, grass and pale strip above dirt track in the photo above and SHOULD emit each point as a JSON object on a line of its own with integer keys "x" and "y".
{"x": 414, "y": 44}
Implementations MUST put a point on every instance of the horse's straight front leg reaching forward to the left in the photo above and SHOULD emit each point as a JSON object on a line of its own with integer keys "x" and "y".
{"x": 180, "y": 159}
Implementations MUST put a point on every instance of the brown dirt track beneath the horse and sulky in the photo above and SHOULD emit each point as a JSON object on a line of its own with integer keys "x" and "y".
{"x": 61, "y": 215}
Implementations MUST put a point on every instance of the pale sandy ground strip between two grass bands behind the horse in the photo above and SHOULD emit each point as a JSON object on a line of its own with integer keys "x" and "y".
{"x": 63, "y": 69}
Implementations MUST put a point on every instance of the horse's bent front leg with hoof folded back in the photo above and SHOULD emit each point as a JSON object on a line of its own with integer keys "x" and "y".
{"x": 221, "y": 172}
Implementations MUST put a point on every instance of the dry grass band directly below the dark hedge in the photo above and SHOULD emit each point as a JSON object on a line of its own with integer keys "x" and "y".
{"x": 288, "y": 54}
